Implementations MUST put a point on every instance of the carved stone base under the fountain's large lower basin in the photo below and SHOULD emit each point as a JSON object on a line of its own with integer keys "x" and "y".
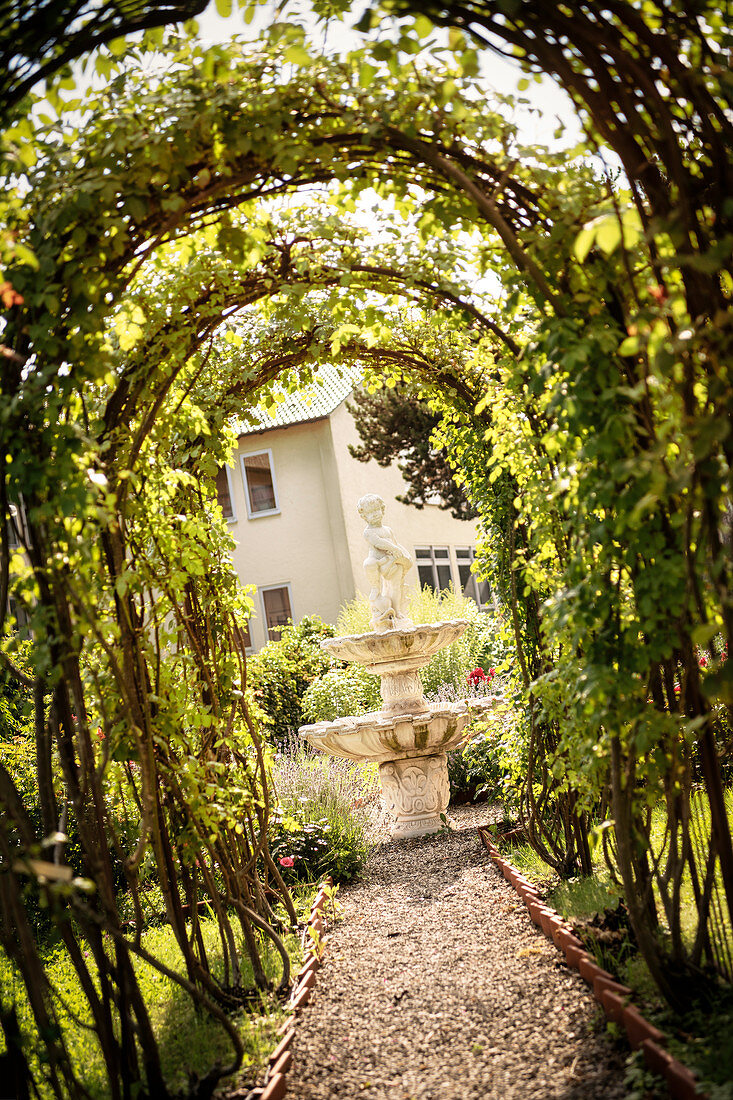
{"x": 415, "y": 794}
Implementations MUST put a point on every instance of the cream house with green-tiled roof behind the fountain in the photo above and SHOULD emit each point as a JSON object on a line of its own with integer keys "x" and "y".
{"x": 291, "y": 501}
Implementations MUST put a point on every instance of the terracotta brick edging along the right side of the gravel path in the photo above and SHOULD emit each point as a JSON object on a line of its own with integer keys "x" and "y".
{"x": 611, "y": 995}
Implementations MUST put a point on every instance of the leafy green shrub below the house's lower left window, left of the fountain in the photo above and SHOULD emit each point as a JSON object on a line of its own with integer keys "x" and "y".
{"x": 280, "y": 675}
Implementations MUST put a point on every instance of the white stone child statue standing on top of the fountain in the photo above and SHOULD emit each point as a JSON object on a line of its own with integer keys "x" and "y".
{"x": 386, "y": 567}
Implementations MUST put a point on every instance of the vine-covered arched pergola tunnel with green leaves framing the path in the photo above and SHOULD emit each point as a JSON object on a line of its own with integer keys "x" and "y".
{"x": 157, "y": 281}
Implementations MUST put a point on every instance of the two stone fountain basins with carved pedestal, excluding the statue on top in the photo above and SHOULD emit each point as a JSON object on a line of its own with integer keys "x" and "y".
{"x": 409, "y": 738}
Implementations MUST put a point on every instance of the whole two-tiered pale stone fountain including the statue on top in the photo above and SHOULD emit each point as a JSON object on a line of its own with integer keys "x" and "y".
{"x": 409, "y": 738}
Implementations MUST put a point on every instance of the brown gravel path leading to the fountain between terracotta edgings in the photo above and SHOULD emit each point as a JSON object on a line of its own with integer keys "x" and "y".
{"x": 436, "y": 986}
